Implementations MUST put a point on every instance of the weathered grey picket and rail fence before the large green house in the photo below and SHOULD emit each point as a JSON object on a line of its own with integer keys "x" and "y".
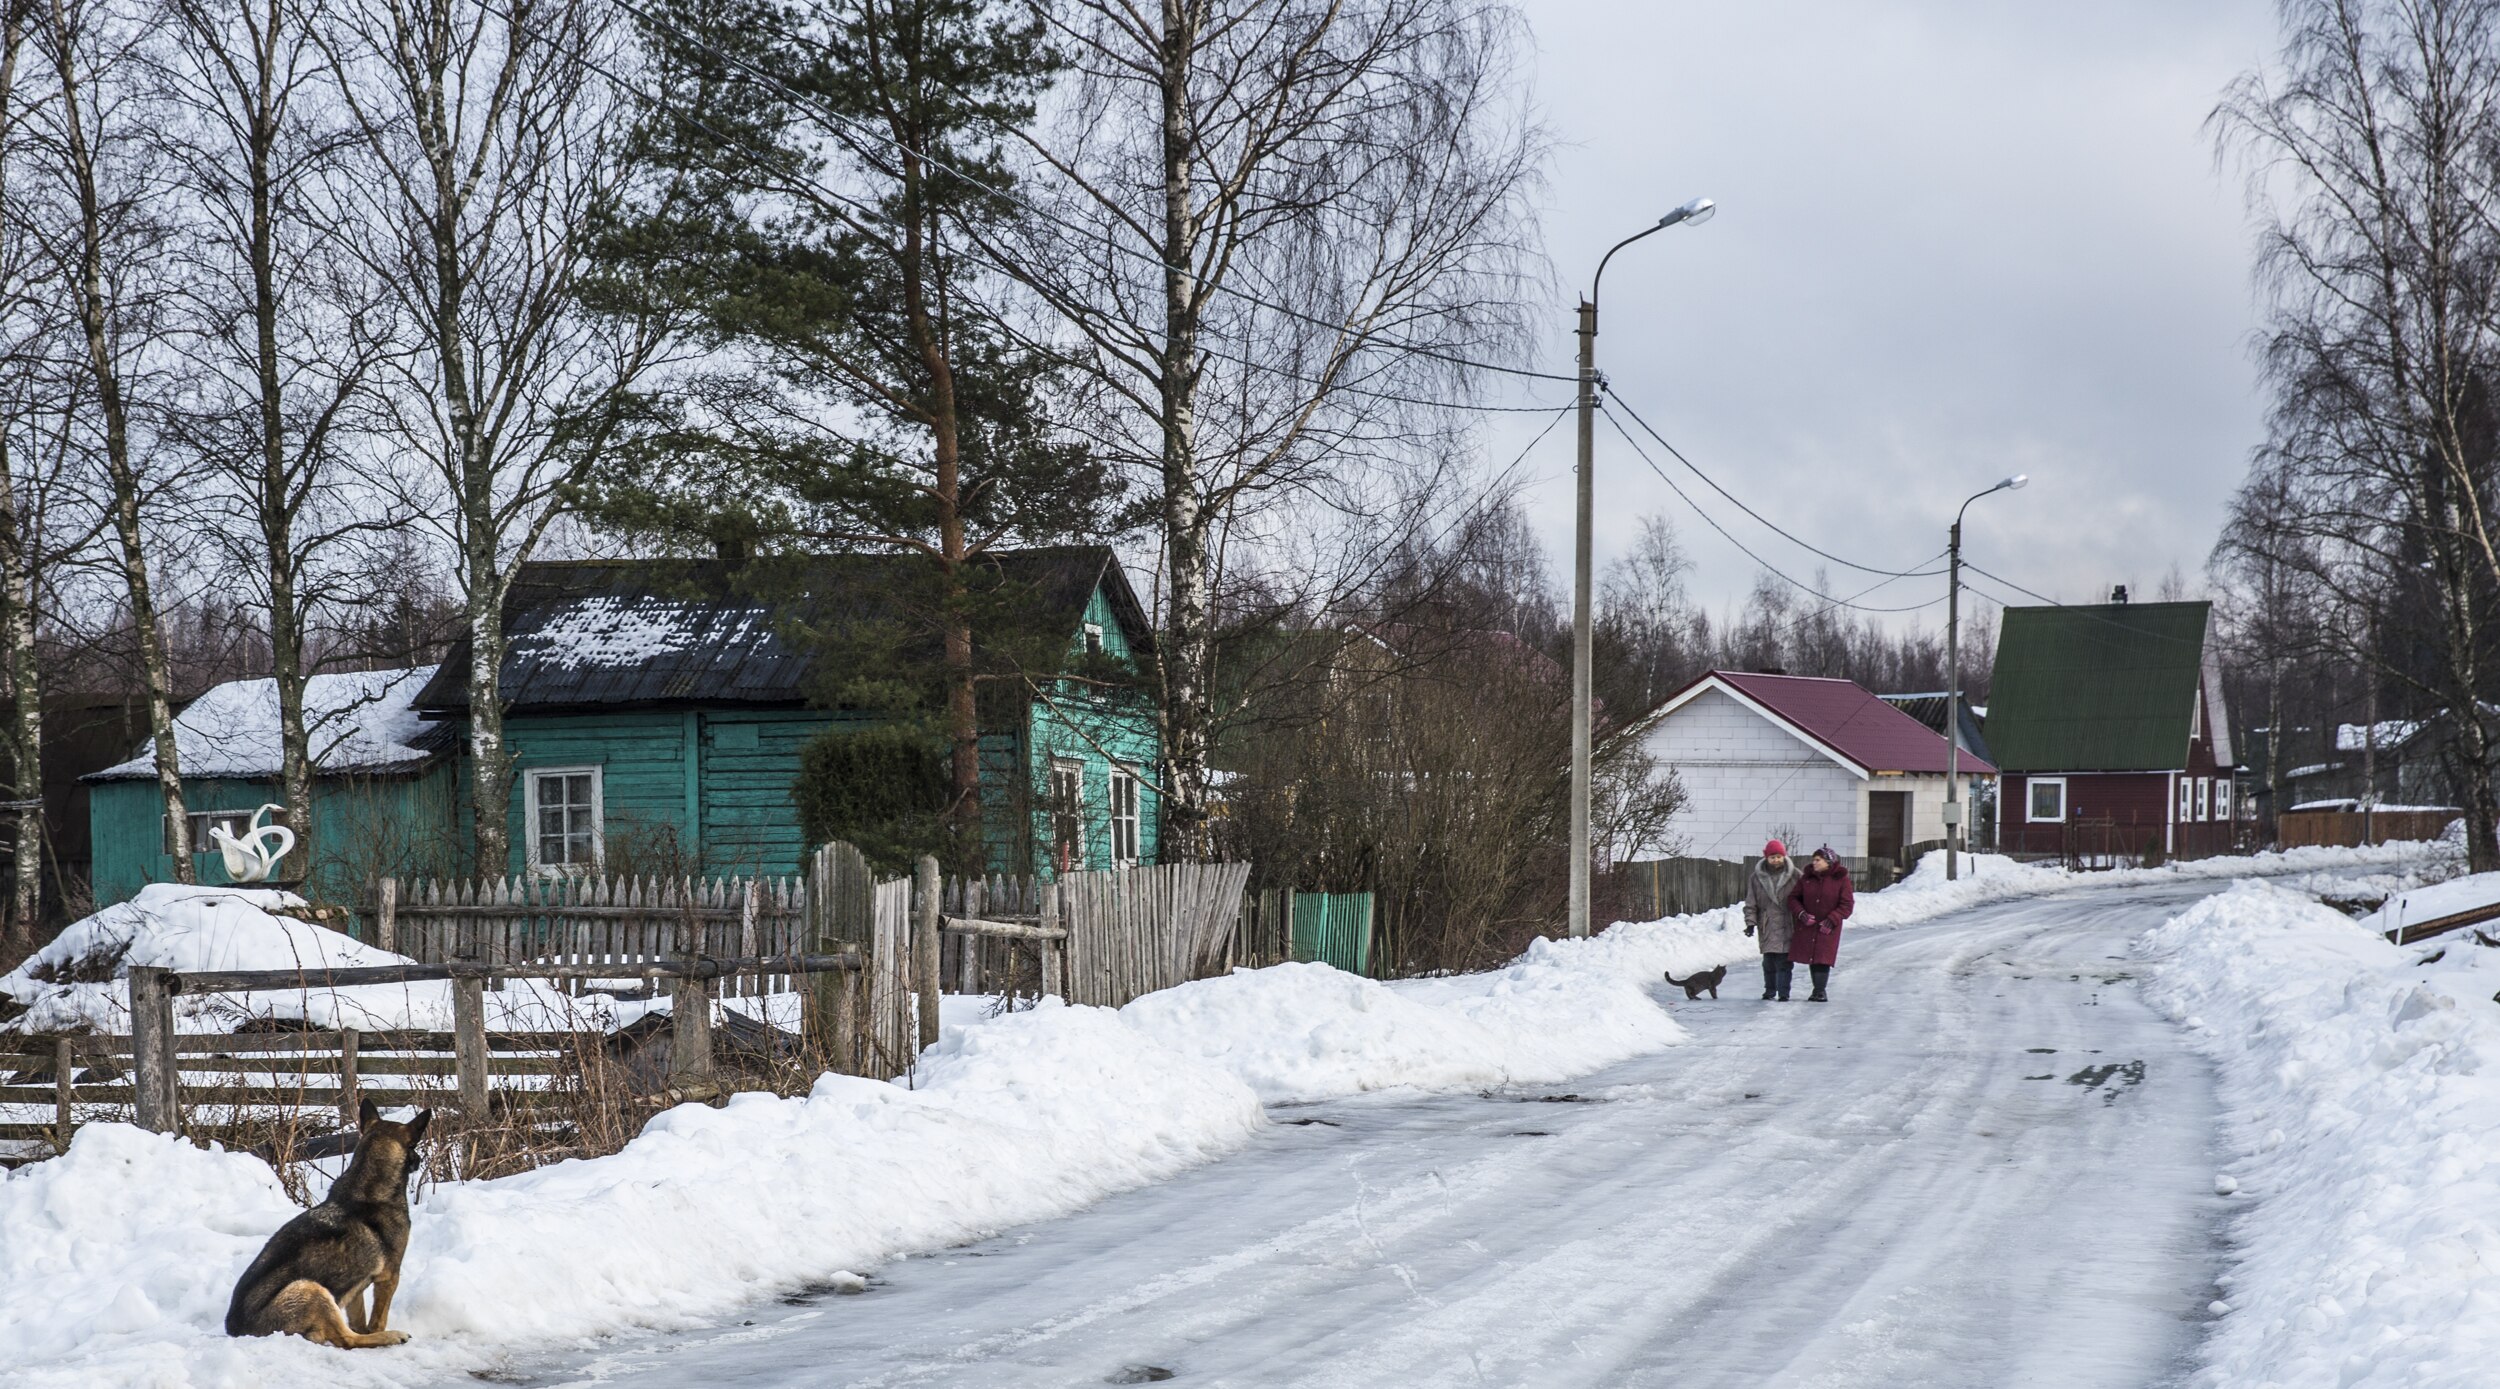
{"x": 864, "y": 956}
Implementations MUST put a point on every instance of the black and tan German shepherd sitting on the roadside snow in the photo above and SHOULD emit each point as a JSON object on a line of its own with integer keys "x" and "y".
{"x": 311, "y": 1278}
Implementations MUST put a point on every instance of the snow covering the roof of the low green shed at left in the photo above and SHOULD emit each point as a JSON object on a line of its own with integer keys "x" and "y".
{"x": 356, "y": 723}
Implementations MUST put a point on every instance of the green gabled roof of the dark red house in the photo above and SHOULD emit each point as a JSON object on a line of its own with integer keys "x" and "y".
{"x": 2104, "y": 688}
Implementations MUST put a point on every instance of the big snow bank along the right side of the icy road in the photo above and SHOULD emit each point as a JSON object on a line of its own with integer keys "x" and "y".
{"x": 2361, "y": 1090}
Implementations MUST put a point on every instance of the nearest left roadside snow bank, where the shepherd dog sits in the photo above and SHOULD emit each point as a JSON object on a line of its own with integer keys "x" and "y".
{"x": 119, "y": 1258}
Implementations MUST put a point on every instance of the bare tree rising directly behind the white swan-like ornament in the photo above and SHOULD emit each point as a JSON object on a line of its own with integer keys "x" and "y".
{"x": 284, "y": 326}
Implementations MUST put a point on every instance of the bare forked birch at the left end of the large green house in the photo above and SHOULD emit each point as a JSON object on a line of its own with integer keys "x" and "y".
{"x": 489, "y": 156}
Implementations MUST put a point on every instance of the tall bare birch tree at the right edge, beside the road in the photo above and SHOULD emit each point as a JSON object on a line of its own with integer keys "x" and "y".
{"x": 2374, "y": 159}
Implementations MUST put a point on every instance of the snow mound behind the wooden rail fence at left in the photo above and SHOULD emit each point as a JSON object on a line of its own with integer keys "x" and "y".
{"x": 81, "y": 981}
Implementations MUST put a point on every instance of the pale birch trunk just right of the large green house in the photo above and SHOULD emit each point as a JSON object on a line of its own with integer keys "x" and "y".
{"x": 1189, "y": 643}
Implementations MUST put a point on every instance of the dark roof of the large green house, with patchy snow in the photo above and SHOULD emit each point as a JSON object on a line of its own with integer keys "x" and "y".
{"x": 606, "y": 633}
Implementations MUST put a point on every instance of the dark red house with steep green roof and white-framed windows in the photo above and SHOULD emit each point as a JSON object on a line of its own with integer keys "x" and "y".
{"x": 2111, "y": 733}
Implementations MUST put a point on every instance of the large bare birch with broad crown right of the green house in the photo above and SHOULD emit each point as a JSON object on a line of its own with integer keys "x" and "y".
{"x": 1274, "y": 231}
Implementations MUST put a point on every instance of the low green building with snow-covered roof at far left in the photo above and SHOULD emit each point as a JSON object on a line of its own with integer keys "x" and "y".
{"x": 381, "y": 798}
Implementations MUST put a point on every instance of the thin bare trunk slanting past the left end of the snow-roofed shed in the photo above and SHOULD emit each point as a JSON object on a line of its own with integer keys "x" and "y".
{"x": 119, "y": 471}
